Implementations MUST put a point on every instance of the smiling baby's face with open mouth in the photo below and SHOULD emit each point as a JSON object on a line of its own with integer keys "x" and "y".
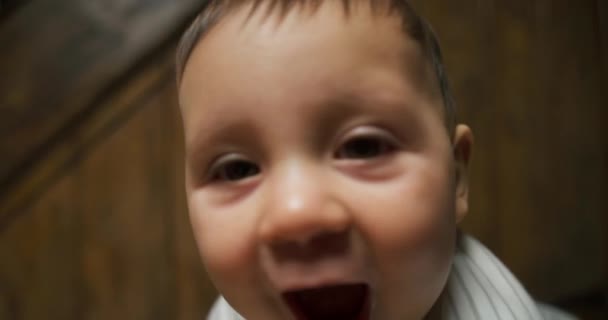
{"x": 316, "y": 159}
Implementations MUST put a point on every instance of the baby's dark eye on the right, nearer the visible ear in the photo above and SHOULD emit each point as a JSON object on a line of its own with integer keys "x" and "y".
{"x": 365, "y": 147}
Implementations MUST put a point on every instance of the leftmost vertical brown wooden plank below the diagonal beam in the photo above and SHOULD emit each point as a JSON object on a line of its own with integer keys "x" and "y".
{"x": 40, "y": 260}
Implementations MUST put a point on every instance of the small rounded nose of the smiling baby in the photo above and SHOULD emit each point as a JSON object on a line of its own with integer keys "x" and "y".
{"x": 302, "y": 209}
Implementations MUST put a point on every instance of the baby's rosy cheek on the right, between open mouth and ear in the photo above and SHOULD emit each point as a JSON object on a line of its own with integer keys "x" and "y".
{"x": 410, "y": 234}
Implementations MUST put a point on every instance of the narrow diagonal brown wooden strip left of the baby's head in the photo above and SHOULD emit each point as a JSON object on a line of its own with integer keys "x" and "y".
{"x": 82, "y": 134}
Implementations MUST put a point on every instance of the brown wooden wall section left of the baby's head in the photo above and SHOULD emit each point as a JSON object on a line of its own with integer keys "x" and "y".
{"x": 92, "y": 212}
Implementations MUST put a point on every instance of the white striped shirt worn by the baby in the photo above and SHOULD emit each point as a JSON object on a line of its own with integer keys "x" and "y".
{"x": 479, "y": 287}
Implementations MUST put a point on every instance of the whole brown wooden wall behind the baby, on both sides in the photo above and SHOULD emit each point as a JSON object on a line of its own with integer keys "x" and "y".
{"x": 93, "y": 223}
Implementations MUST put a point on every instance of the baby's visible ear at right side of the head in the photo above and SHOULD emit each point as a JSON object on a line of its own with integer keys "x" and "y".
{"x": 462, "y": 148}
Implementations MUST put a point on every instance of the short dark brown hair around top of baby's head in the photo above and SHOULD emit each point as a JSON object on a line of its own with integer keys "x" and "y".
{"x": 414, "y": 26}
